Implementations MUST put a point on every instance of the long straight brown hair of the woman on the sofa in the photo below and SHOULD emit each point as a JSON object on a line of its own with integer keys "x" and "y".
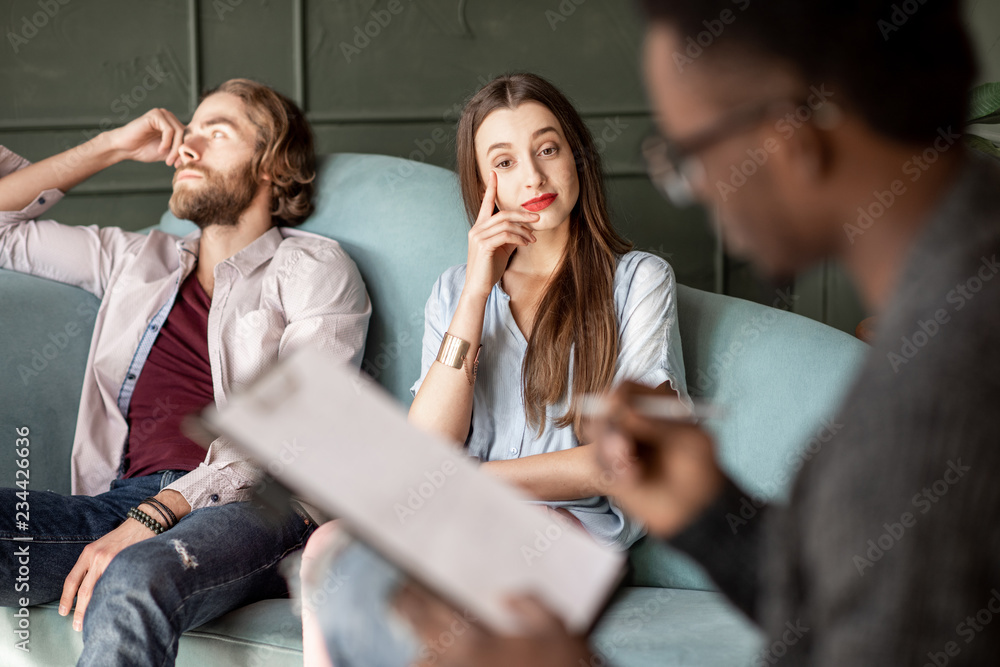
{"x": 577, "y": 311}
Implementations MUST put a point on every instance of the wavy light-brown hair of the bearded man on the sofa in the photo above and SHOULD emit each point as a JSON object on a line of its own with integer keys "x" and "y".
{"x": 284, "y": 149}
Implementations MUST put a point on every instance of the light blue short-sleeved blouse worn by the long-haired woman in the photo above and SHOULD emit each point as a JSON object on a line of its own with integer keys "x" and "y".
{"x": 650, "y": 353}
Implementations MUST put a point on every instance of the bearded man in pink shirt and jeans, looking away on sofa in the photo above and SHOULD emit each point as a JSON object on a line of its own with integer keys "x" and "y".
{"x": 159, "y": 538}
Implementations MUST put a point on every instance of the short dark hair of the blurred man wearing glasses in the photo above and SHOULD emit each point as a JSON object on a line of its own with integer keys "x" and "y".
{"x": 904, "y": 66}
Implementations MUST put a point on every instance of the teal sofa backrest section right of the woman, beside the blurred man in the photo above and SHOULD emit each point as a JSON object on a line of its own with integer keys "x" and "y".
{"x": 780, "y": 377}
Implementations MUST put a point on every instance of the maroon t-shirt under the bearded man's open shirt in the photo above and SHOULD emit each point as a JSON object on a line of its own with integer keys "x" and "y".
{"x": 175, "y": 381}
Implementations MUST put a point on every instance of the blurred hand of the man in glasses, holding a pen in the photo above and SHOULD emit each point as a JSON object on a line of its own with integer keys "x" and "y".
{"x": 664, "y": 472}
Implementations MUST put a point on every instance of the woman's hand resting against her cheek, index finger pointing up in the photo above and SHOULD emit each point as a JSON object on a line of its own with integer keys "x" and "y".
{"x": 493, "y": 239}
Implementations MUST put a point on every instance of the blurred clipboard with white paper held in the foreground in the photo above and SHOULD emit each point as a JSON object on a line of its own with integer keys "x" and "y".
{"x": 336, "y": 439}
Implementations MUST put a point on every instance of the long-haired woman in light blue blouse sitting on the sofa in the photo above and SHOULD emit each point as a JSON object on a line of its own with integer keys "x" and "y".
{"x": 552, "y": 305}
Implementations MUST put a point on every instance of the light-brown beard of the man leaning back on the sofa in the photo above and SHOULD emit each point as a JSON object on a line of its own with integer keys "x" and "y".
{"x": 219, "y": 200}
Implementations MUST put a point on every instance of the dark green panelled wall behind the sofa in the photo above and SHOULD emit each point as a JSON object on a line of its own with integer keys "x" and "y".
{"x": 382, "y": 76}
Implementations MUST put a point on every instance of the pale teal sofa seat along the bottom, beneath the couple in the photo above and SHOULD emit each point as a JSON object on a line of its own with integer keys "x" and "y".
{"x": 643, "y": 627}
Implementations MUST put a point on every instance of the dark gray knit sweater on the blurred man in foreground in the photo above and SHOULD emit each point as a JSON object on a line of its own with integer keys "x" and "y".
{"x": 888, "y": 552}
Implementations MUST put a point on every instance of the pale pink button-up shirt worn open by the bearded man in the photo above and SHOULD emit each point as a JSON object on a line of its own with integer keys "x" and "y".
{"x": 285, "y": 289}
